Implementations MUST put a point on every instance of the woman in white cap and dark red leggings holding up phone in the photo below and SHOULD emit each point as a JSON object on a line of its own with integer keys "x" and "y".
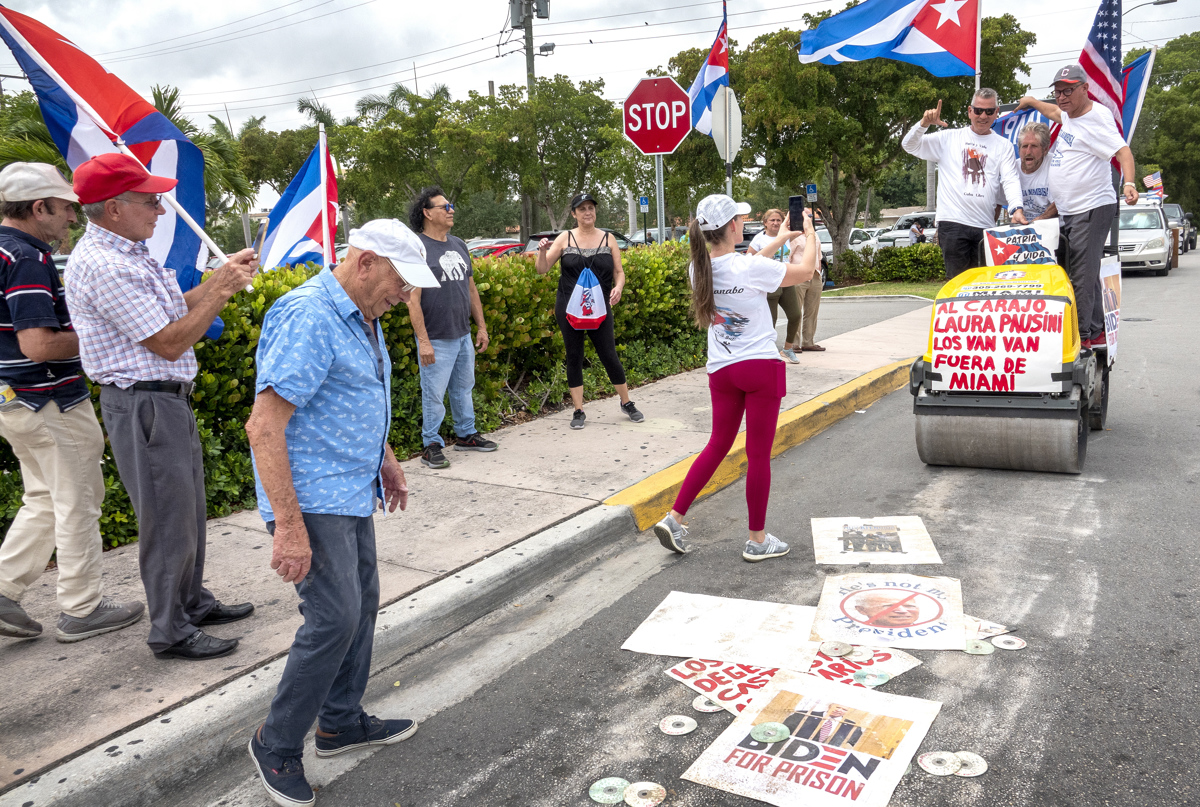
{"x": 746, "y": 375}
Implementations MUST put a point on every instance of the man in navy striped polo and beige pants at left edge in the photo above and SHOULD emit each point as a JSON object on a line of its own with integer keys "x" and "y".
{"x": 47, "y": 417}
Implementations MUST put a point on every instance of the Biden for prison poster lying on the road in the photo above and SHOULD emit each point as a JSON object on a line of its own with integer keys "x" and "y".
{"x": 845, "y": 745}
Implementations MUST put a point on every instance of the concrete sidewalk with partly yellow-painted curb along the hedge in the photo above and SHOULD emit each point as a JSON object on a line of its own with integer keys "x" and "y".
{"x": 65, "y": 701}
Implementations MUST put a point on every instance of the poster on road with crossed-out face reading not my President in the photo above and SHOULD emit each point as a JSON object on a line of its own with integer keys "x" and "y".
{"x": 891, "y": 611}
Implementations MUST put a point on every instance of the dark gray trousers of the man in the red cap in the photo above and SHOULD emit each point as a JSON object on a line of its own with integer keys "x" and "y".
{"x": 159, "y": 457}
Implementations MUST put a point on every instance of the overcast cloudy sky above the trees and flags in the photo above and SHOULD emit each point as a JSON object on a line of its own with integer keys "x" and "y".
{"x": 257, "y": 57}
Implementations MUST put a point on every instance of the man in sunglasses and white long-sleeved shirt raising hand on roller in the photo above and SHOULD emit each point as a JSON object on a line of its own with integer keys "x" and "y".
{"x": 975, "y": 162}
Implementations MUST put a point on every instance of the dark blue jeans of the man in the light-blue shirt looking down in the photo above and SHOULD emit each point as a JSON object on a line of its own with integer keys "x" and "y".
{"x": 331, "y": 657}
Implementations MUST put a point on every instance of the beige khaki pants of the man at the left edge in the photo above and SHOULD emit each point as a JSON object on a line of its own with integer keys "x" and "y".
{"x": 59, "y": 456}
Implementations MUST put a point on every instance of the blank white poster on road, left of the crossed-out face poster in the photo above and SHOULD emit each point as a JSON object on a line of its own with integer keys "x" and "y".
{"x": 739, "y": 631}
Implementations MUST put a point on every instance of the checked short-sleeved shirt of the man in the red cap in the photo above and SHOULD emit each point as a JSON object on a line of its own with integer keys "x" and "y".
{"x": 119, "y": 297}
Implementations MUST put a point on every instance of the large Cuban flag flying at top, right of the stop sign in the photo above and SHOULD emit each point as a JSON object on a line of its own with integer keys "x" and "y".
{"x": 938, "y": 35}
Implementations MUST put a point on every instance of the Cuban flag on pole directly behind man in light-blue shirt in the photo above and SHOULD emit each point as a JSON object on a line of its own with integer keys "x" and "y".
{"x": 302, "y": 226}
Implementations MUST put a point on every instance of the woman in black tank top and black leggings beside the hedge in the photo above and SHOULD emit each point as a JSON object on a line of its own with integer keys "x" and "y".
{"x": 586, "y": 247}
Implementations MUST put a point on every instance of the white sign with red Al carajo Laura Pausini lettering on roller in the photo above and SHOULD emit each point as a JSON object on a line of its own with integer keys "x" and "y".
{"x": 999, "y": 345}
